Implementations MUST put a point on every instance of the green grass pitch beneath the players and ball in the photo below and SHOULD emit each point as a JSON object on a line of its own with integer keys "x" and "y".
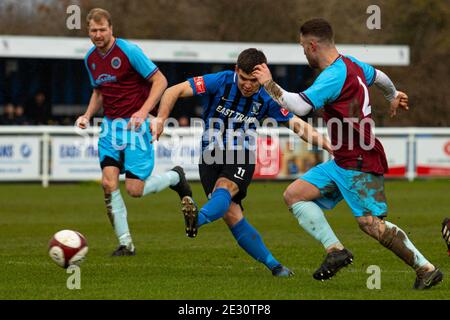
{"x": 168, "y": 265}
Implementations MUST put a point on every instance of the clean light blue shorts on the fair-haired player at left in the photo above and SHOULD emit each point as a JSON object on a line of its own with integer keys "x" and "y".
{"x": 132, "y": 150}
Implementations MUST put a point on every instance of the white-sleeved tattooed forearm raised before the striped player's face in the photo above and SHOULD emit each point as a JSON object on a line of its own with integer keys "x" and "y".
{"x": 288, "y": 100}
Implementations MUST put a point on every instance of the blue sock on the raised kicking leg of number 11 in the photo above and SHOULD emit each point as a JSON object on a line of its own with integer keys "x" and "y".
{"x": 215, "y": 208}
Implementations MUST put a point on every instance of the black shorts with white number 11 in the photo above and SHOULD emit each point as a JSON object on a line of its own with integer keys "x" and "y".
{"x": 240, "y": 171}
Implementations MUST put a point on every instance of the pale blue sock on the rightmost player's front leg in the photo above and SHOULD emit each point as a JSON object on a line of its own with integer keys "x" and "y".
{"x": 312, "y": 219}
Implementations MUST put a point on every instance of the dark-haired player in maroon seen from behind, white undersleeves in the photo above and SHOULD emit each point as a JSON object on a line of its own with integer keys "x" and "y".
{"x": 356, "y": 172}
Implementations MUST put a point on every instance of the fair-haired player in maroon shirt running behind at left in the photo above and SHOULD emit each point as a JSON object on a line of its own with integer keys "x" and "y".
{"x": 128, "y": 85}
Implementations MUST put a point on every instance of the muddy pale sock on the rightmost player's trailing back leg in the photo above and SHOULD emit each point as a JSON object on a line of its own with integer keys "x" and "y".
{"x": 418, "y": 261}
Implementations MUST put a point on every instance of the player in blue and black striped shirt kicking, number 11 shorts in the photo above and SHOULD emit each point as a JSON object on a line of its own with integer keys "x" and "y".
{"x": 234, "y": 104}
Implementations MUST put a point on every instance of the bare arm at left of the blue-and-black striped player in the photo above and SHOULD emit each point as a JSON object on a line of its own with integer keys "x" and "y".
{"x": 168, "y": 100}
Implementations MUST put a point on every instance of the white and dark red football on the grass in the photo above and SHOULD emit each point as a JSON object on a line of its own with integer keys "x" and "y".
{"x": 67, "y": 248}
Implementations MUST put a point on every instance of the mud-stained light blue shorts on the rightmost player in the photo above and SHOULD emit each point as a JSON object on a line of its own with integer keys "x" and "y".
{"x": 363, "y": 192}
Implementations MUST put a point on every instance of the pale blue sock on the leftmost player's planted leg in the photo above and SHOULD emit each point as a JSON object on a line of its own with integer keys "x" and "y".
{"x": 118, "y": 212}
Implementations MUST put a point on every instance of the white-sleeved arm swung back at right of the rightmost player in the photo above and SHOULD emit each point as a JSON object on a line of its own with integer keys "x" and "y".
{"x": 397, "y": 99}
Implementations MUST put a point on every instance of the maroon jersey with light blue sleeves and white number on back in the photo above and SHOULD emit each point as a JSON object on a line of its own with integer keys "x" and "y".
{"x": 341, "y": 89}
